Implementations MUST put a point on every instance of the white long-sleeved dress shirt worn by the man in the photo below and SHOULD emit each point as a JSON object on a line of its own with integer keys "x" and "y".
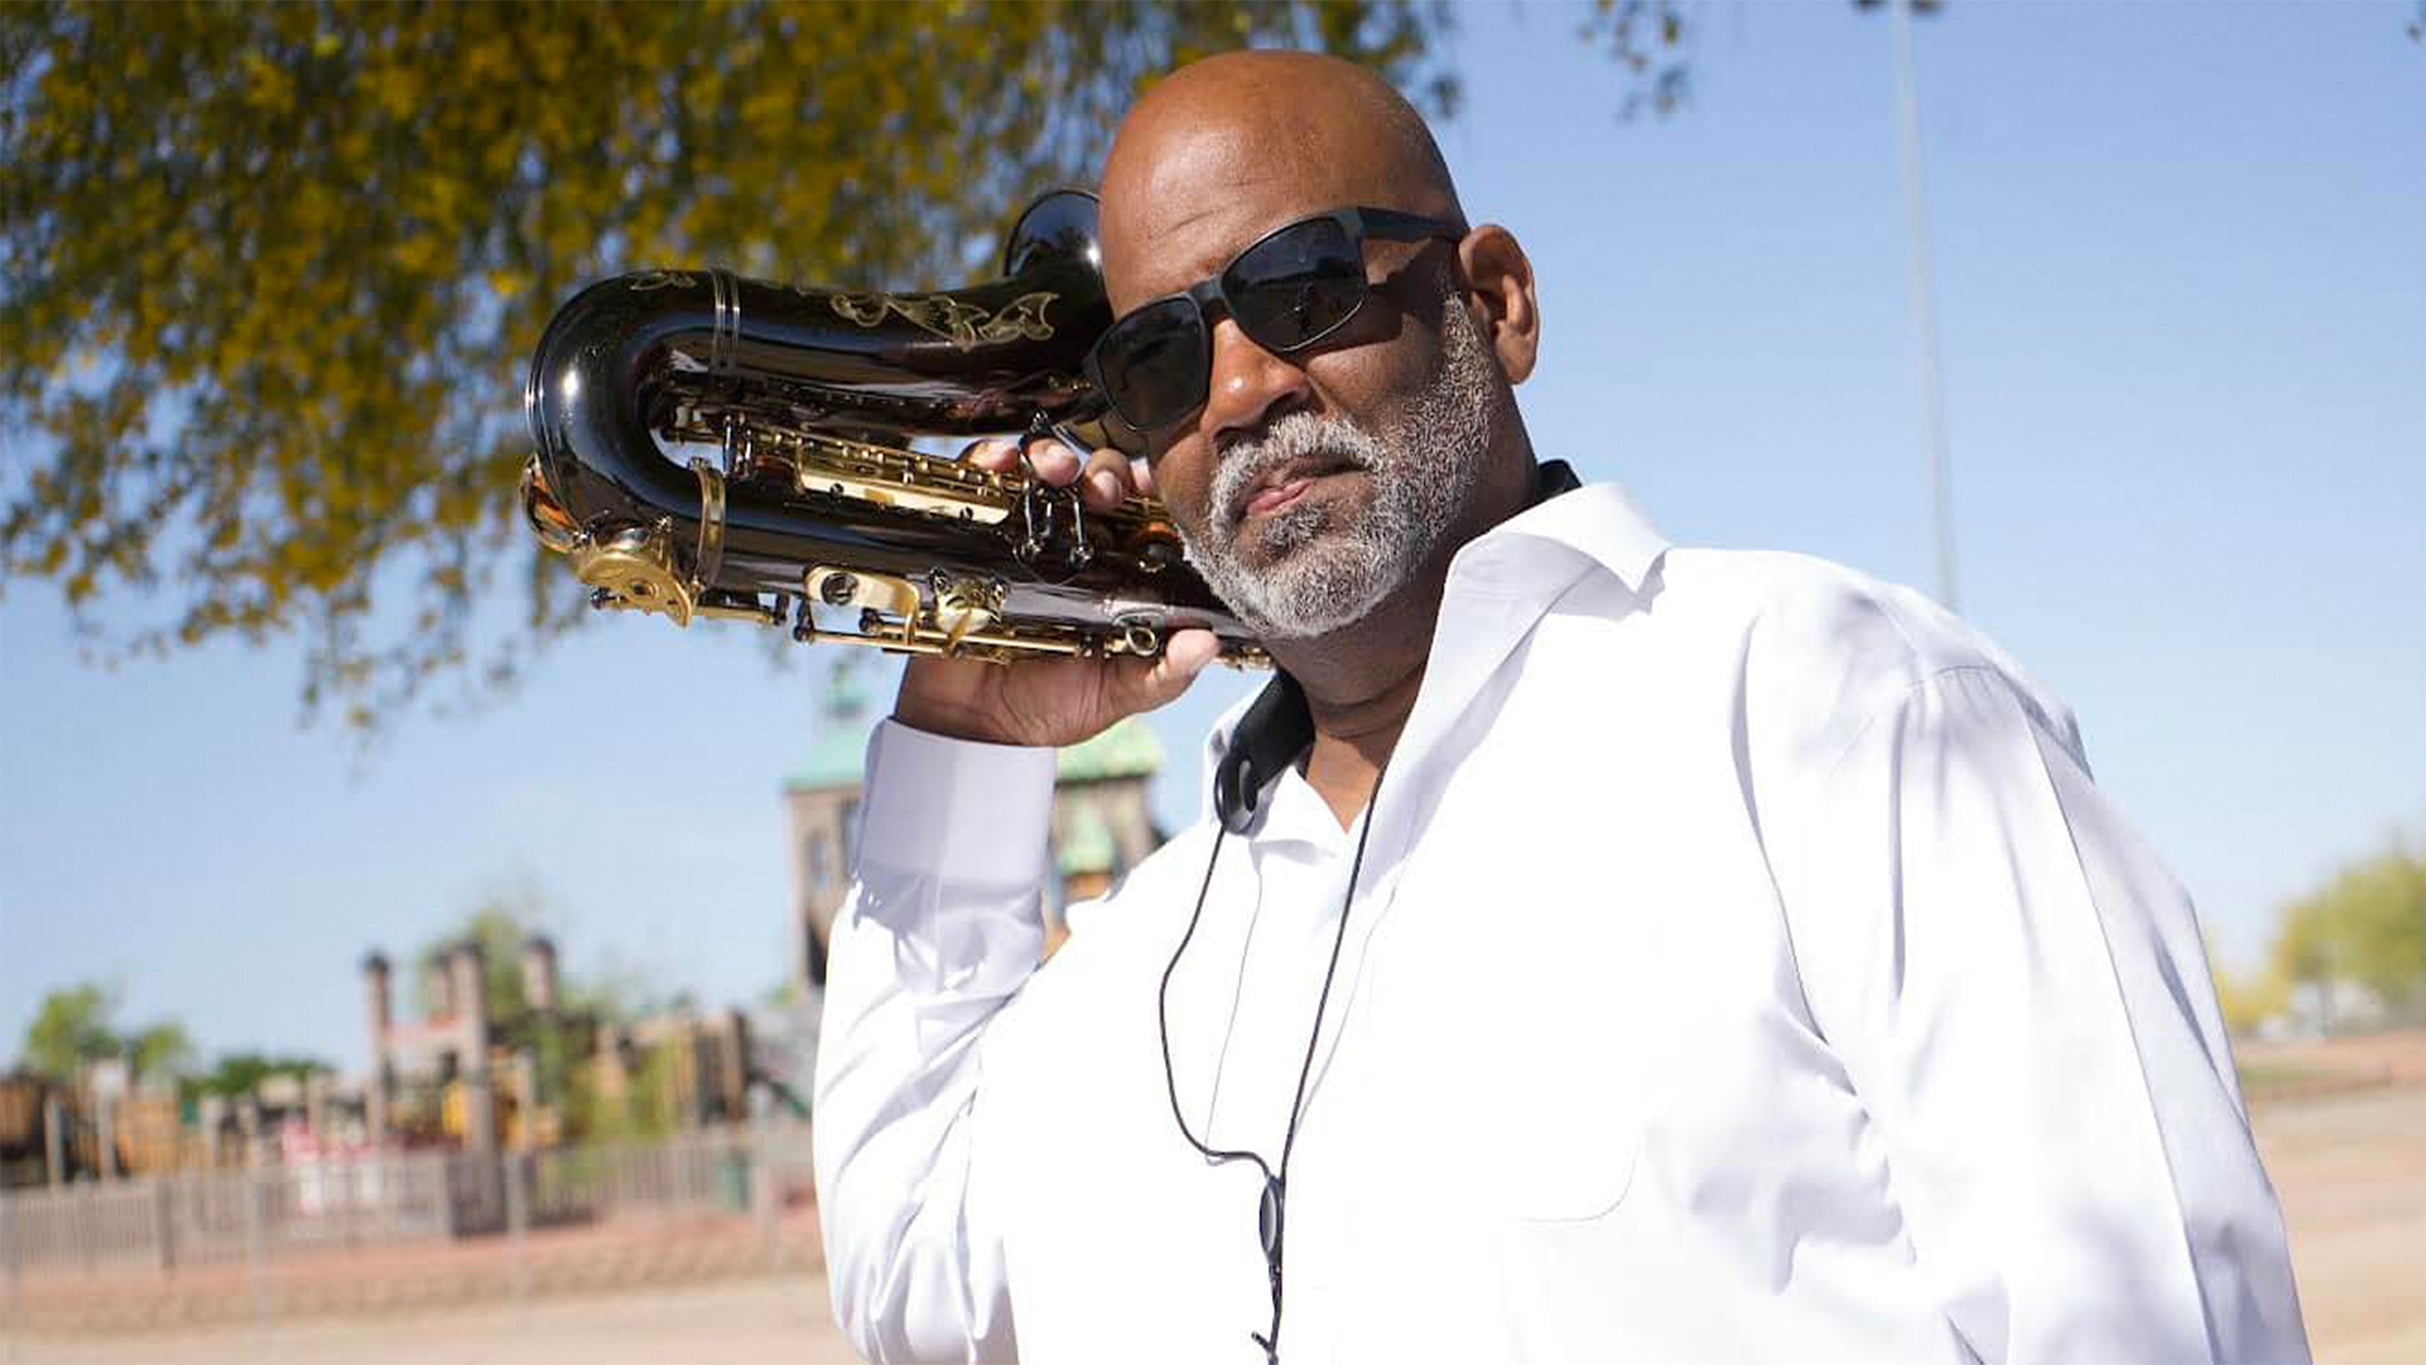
{"x": 1743, "y": 969}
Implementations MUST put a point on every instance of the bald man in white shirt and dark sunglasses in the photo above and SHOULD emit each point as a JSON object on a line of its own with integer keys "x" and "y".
{"x": 1593, "y": 952}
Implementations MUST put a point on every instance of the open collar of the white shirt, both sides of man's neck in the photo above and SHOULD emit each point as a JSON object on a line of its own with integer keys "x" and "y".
{"x": 1263, "y": 736}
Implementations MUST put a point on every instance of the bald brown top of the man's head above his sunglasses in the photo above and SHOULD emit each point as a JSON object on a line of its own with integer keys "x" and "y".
{"x": 1246, "y": 142}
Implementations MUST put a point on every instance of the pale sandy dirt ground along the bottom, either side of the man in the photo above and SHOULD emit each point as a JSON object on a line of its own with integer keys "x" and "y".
{"x": 2350, "y": 1170}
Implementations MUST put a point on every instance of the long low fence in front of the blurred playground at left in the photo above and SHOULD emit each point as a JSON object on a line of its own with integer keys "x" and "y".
{"x": 270, "y": 1213}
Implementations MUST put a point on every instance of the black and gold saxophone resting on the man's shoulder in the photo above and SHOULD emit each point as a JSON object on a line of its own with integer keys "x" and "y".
{"x": 741, "y": 450}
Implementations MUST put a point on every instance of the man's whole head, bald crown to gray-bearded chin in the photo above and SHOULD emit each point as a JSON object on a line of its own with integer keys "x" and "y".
{"x": 1321, "y": 484}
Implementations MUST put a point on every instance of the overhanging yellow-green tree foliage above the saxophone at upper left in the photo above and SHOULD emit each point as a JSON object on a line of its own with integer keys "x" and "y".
{"x": 268, "y": 273}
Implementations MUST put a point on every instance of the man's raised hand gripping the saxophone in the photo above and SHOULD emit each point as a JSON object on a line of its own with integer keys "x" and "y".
{"x": 1052, "y": 702}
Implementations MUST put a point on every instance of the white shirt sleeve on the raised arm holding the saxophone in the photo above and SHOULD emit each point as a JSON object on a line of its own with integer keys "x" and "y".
{"x": 943, "y": 927}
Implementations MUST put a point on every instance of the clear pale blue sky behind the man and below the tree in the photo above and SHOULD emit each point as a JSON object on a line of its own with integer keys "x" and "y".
{"x": 2182, "y": 270}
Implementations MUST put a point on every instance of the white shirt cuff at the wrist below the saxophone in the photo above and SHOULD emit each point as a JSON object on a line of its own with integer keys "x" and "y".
{"x": 957, "y": 809}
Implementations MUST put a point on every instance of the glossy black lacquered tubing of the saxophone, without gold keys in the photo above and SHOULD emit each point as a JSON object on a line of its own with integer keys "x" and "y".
{"x": 625, "y": 355}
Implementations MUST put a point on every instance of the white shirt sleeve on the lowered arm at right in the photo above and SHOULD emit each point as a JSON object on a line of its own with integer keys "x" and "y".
{"x": 2022, "y": 1003}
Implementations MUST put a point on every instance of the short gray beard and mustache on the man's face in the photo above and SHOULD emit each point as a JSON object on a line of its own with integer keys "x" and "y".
{"x": 1328, "y": 569}
